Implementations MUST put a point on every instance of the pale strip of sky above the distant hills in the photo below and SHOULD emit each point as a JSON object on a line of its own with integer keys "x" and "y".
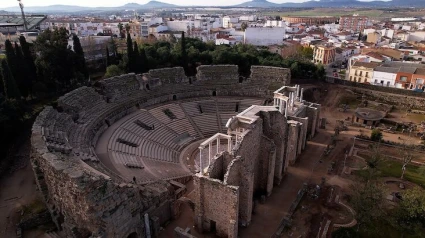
{"x": 111, "y": 3}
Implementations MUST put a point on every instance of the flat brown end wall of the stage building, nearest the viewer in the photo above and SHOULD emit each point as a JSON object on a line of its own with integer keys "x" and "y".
{"x": 215, "y": 203}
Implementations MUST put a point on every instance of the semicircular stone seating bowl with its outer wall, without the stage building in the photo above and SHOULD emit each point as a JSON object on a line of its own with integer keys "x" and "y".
{"x": 151, "y": 118}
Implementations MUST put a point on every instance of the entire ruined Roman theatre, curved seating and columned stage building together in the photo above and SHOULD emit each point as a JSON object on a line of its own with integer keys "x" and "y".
{"x": 114, "y": 159}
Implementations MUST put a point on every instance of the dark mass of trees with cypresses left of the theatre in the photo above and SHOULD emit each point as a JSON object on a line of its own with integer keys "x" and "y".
{"x": 43, "y": 70}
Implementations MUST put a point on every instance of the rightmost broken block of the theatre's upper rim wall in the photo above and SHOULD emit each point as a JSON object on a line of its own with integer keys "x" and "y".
{"x": 271, "y": 74}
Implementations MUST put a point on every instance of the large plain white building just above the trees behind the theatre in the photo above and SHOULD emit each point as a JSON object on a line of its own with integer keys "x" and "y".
{"x": 264, "y": 35}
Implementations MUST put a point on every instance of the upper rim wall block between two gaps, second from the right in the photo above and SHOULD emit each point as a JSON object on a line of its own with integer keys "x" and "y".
{"x": 218, "y": 73}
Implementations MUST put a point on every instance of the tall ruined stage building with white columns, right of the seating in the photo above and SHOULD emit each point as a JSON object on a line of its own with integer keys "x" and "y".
{"x": 264, "y": 141}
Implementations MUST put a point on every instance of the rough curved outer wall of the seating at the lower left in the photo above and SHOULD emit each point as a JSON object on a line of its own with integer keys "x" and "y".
{"x": 83, "y": 201}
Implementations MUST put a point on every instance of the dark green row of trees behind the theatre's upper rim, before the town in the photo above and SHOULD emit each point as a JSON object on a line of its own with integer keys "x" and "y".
{"x": 190, "y": 53}
